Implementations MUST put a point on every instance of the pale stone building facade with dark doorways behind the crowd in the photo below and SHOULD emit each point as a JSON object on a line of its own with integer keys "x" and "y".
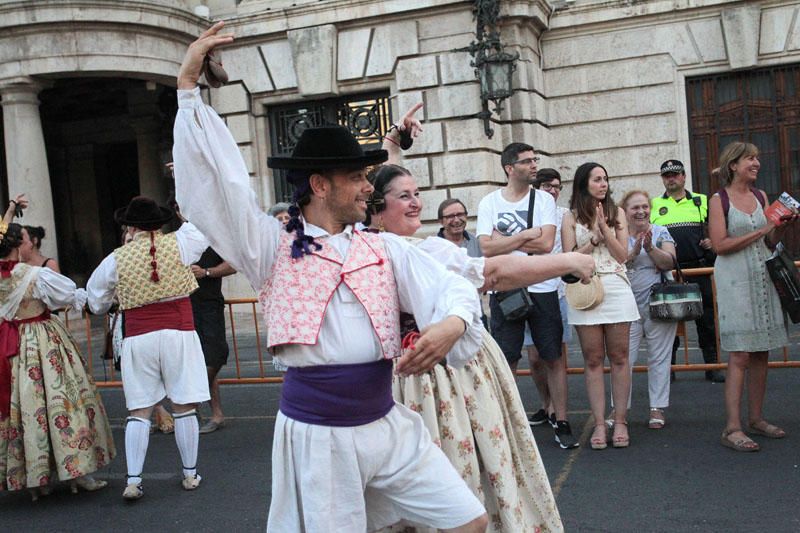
{"x": 616, "y": 81}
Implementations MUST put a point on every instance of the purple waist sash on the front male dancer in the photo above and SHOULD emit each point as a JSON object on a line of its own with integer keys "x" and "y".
{"x": 338, "y": 395}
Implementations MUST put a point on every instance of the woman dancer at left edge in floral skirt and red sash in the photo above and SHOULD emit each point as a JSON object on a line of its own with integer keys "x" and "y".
{"x": 51, "y": 416}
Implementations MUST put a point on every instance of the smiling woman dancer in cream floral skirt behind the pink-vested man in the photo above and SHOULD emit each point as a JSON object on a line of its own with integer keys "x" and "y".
{"x": 475, "y": 413}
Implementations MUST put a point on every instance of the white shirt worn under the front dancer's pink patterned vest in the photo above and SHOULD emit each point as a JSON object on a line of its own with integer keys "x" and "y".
{"x": 212, "y": 186}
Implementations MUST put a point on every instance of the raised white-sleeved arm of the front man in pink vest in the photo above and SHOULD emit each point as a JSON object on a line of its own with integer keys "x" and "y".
{"x": 212, "y": 184}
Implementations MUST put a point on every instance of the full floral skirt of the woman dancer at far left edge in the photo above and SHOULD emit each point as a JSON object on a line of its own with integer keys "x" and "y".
{"x": 57, "y": 421}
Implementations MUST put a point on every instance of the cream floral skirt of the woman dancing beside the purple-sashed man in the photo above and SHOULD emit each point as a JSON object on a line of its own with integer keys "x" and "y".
{"x": 476, "y": 416}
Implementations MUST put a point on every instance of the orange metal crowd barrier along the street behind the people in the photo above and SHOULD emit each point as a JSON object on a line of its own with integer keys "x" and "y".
{"x": 248, "y": 362}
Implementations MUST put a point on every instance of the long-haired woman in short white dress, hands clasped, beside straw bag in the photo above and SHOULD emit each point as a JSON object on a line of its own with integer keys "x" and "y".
{"x": 597, "y": 227}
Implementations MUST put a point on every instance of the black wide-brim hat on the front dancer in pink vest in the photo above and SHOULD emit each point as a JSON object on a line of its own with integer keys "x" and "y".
{"x": 326, "y": 148}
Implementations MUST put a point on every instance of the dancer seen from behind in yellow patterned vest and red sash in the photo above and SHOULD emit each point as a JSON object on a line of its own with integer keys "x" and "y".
{"x": 161, "y": 353}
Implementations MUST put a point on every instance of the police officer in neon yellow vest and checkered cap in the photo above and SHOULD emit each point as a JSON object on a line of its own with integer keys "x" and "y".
{"x": 685, "y": 214}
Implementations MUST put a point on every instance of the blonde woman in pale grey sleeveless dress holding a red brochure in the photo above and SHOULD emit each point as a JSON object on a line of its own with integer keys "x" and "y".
{"x": 750, "y": 316}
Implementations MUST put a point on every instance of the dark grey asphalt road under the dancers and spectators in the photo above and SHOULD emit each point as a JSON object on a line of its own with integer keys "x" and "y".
{"x": 675, "y": 479}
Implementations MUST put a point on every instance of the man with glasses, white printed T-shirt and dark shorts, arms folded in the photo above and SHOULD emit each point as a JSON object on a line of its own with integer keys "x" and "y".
{"x": 503, "y": 229}
